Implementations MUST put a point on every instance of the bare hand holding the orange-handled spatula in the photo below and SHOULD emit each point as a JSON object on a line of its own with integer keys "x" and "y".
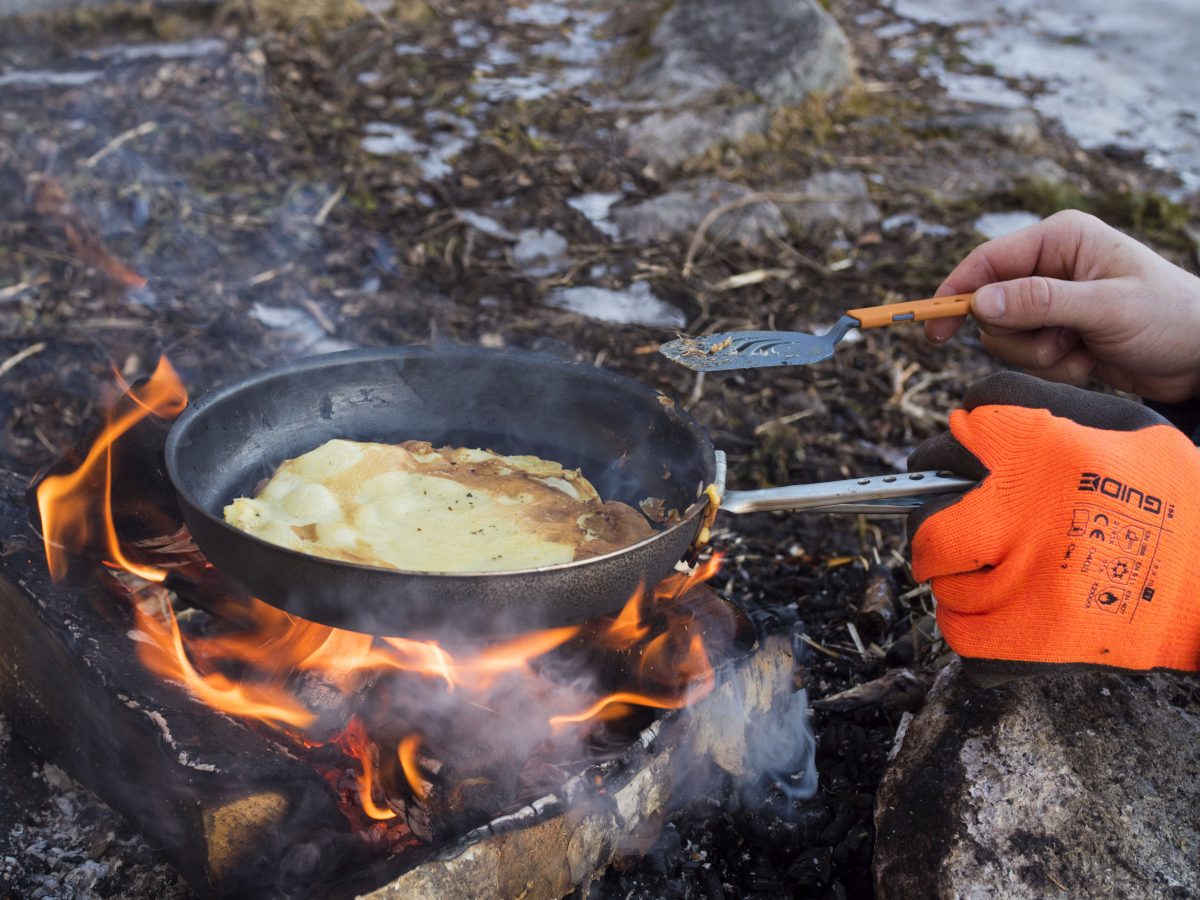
{"x": 1071, "y": 298}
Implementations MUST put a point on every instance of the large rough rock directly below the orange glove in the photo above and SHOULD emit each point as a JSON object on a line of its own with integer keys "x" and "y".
{"x": 1084, "y": 785}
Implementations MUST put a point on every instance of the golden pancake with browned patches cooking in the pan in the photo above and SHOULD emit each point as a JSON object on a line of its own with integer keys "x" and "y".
{"x": 449, "y": 511}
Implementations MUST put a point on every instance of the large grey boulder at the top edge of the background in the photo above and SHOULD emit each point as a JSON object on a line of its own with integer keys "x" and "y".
{"x": 779, "y": 50}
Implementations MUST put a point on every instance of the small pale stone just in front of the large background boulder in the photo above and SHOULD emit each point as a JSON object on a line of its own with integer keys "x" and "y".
{"x": 668, "y": 139}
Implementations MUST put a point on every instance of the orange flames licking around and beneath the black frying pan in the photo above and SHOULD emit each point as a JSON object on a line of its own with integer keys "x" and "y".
{"x": 257, "y": 667}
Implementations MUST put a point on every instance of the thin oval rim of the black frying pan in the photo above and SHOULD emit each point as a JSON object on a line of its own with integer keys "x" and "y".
{"x": 194, "y": 410}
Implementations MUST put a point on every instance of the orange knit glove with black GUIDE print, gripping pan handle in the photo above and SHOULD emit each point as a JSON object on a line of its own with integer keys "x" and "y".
{"x": 1082, "y": 545}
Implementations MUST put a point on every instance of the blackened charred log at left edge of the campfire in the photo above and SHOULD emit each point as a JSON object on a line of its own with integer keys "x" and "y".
{"x": 232, "y": 811}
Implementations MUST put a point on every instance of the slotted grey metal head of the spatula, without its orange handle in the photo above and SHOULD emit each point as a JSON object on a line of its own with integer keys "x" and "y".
{"x": 757, "y": 350}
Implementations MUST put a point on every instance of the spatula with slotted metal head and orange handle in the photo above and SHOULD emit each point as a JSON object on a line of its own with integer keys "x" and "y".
{"x": 758, "y": 350}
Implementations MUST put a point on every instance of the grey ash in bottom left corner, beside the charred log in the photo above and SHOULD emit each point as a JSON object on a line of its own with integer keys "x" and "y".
{"x": 58, "y": 842}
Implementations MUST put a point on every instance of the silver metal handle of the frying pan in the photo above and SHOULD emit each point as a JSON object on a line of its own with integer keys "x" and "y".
{"x": 896, "y": 494}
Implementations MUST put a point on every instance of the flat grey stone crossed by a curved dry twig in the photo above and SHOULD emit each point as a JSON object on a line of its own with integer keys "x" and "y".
{"x": 677, "y": 214}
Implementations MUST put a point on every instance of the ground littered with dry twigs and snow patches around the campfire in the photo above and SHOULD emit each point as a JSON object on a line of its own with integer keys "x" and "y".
{"x": 233, "y": 190}
